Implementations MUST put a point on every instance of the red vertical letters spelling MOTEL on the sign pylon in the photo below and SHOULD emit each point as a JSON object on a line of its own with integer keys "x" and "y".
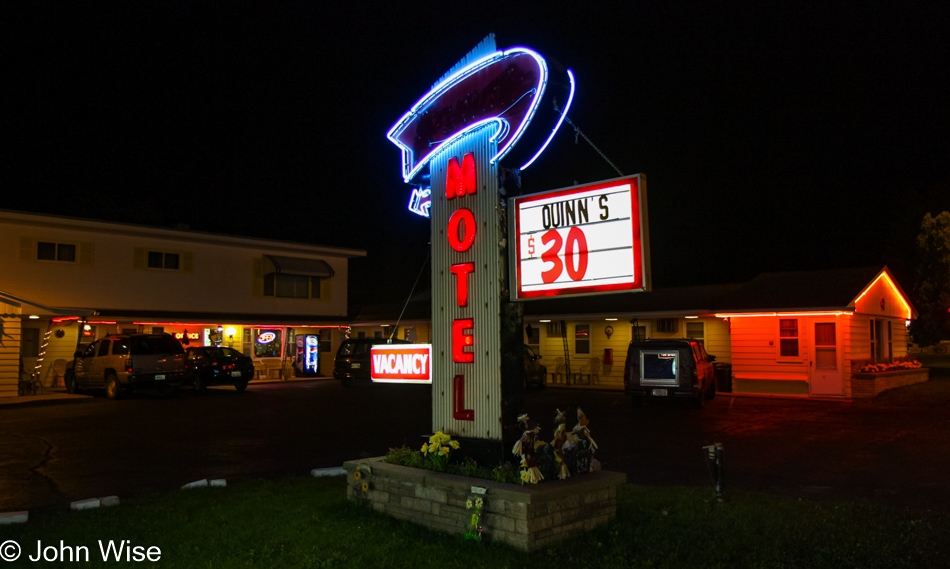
{"x": 459, "y": 182}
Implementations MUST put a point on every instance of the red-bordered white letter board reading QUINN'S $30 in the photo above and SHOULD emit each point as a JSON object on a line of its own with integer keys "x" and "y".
{"x": 588, "y": 239}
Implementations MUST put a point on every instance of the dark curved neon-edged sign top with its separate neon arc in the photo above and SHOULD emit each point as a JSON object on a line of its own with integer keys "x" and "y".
{"x": 502, "y": 89}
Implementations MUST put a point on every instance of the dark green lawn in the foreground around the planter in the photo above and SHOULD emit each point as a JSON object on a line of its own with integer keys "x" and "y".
{"x": 307, "y": 522}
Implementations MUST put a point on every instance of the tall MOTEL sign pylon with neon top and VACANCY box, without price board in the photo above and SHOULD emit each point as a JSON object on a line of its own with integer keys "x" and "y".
{"x": 458, "y": 132}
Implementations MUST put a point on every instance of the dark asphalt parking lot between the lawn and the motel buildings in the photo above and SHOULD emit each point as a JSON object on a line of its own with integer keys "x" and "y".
{"x": 892, "y": 450}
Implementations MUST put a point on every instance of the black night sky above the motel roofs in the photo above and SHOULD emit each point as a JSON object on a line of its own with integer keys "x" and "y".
{"x": 774, "y": 135}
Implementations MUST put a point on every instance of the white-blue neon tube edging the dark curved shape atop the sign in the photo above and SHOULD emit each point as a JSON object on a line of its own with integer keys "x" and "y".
{"x": 408, "y": 171}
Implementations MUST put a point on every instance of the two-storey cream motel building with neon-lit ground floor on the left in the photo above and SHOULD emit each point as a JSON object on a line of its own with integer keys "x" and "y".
{"x": 66, "y": 282}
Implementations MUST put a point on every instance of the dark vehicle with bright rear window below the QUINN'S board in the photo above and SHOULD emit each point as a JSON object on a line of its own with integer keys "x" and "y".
{"x": 669, "y": 369}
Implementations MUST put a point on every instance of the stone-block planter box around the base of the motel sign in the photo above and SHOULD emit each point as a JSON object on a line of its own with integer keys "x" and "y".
{"x": 526, "y": 517}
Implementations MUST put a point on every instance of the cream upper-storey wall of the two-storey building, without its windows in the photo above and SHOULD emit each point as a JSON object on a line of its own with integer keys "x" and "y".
{"x": 216, "y": 273}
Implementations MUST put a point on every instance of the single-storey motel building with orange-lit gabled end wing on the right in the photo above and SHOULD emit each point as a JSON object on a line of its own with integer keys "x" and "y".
{"x": 793, "y": 334}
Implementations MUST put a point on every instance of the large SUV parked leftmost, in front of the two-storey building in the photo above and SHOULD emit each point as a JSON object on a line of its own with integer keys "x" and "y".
{"x": 127, "y": 362}
